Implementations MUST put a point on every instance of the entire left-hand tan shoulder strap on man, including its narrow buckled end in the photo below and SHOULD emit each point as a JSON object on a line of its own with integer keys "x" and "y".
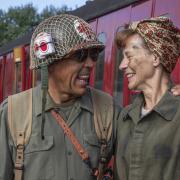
{"x": 20, "y": 124}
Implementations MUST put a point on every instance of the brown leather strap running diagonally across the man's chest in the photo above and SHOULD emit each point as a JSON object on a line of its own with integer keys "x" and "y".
{"x": 83, "y": 154}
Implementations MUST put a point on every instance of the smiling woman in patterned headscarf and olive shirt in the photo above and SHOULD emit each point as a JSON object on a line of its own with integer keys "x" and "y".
{"x": 148, "y": 136}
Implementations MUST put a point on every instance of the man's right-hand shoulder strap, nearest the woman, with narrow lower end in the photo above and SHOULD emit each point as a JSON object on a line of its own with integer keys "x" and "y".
{"x": 103, "y": 119}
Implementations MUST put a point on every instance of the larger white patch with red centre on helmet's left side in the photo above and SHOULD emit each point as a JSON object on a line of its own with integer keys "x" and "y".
{"x": 43, "y": 45}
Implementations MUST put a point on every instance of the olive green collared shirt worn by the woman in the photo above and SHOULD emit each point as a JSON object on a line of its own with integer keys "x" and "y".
{"x": 148, "y": 148}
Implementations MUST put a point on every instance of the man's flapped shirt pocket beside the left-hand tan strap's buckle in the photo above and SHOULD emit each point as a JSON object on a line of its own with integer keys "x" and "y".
{"x": 39, "y": 159}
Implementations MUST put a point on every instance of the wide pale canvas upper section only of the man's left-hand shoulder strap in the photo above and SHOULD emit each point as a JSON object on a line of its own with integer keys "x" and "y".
{"x": 20, "y": 115}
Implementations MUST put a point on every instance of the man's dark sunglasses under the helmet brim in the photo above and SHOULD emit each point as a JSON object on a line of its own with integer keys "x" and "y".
{"x": 82, "y": 54}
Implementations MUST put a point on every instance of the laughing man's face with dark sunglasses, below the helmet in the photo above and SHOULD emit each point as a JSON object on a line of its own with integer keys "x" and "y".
{"x": 71, "y": 75}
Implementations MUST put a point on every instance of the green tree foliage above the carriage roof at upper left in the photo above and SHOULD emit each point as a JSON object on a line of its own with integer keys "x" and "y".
{"x": 18, "y": 20}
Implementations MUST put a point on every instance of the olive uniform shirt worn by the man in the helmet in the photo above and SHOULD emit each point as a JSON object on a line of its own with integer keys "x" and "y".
{"x": 54, "y": 158}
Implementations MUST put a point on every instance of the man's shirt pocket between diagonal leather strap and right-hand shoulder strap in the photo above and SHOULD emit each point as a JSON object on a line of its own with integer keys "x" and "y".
{"x": 92, "y": 146}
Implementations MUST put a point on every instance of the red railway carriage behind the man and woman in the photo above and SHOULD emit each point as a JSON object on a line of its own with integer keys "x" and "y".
{"x": 106, "y": 18}
